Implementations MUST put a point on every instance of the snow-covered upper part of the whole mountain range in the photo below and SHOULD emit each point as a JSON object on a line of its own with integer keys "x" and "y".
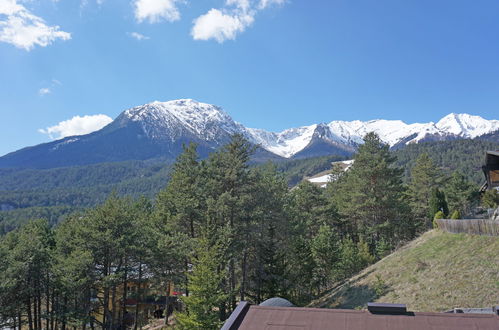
{"x": 172, "y": 119}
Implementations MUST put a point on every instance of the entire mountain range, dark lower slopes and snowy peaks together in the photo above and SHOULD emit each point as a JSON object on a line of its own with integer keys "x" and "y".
{"x": 159, "y": 129}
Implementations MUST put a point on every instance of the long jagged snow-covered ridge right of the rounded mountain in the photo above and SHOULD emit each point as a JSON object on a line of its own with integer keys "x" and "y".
{"x": 349, "y": 134}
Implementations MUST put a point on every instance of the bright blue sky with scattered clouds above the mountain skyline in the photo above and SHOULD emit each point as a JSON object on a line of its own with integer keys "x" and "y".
{"x": 270, "y": 64}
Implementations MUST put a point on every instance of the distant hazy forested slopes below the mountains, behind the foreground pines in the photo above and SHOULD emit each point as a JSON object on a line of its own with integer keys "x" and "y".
{"x": 44, "y": 193}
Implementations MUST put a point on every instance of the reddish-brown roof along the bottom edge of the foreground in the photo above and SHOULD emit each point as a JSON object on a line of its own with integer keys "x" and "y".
{"x": 296, "y": 318}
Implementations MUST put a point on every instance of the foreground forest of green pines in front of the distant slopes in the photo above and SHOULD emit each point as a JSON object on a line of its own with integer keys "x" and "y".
{"x": 220, "y": 231}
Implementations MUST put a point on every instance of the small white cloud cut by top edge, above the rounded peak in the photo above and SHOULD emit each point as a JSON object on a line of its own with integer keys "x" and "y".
{"x": 156, "y": 11}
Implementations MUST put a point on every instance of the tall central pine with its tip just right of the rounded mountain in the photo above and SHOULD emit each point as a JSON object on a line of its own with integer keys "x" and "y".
{"x": 229, "y": 188}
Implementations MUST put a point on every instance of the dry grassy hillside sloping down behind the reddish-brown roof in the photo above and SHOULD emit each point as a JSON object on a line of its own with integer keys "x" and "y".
{"x": 436, "y": 272}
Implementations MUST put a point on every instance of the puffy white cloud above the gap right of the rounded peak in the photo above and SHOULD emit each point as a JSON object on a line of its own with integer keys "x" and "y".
{"x": 219, "y": 26}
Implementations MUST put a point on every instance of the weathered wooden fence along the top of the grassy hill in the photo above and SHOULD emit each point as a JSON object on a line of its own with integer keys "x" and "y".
{"x": 471, "y": 226}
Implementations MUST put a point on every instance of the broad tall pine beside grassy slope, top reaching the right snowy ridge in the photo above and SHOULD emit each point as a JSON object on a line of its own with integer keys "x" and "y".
{"x": 370, "y": 195}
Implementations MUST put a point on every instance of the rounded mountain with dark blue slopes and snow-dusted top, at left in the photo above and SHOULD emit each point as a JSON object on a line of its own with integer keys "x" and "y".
{"x": 154, "y": 130}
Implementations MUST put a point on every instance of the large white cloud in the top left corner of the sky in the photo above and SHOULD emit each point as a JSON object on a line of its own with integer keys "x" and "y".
{"x": 19, "y": 27}
